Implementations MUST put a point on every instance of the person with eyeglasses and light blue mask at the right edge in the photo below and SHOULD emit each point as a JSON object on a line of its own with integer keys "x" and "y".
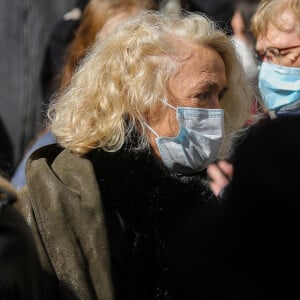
{"x": 276, "y": 26}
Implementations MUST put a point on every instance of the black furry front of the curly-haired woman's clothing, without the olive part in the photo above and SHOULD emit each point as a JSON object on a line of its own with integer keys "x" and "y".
{"x": 143, "y": 202}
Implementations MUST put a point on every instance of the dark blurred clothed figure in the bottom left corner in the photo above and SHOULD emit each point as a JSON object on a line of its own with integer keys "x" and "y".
{"x": 19, "y": 265}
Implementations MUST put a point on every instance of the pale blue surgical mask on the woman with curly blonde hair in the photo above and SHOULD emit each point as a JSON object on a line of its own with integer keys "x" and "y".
{"x": 201, "y": 133}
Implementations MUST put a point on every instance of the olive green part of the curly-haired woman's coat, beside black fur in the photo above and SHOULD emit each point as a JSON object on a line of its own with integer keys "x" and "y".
{"x": 62, "y": 205}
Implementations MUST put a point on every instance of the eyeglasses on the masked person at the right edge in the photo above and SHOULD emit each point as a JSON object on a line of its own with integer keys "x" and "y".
{"x": 274, "y": 55}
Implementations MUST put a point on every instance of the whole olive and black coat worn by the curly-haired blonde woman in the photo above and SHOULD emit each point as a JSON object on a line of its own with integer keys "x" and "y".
{"x": 102, "y": 222}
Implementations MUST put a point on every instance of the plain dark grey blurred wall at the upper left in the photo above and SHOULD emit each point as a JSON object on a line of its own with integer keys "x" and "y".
{"x": 25, "y": 26}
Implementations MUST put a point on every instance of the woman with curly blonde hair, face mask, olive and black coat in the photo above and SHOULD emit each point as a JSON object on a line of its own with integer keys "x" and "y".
{"x": 149, "y": 107}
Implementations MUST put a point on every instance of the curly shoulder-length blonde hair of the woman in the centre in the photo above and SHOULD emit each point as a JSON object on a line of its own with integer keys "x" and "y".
{"x": 126, "y": 74}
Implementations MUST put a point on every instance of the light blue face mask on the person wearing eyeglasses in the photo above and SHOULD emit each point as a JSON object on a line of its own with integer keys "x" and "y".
{"x": 279, "y": 86}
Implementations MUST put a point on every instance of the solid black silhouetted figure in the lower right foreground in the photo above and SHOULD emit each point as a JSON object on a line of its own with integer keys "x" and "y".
{"x": 252, "y": 251}
